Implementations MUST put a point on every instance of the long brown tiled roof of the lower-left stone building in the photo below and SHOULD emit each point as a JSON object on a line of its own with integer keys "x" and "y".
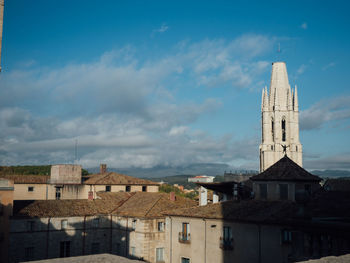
{"x": 137, "y": 204}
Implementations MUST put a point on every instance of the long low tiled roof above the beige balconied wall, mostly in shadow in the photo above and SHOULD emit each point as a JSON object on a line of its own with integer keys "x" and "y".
{"x": 324, "y": 205}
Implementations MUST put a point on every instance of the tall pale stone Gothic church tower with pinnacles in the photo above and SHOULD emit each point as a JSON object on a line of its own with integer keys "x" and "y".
{"x": 279, "y": 120}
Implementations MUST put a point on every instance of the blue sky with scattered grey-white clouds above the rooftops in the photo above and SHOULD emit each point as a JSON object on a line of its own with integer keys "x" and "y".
{"x": 147, "y": 83}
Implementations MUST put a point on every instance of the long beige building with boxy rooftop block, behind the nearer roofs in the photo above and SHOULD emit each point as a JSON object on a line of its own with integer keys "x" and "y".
{"x": 66, "y": 182}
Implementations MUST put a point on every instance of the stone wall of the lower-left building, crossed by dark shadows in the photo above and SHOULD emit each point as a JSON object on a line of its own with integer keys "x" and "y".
{"x": 111, "y": 234}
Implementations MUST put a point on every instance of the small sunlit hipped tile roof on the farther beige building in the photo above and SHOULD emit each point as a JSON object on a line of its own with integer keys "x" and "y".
{"x": 113, "y": 178}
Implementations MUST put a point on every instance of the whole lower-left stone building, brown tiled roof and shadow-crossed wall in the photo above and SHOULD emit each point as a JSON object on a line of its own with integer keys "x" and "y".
{"x": 125, "y": 224}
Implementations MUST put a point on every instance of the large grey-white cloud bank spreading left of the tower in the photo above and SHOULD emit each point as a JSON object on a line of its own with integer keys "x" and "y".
{"x": 124, "y": 111}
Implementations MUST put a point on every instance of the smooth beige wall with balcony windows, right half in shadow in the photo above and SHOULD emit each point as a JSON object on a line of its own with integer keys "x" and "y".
{"x": 251, "y": 242}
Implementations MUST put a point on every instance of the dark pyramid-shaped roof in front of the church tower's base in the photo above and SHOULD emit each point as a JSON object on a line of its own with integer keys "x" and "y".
{"x": 285, "y": 170}
